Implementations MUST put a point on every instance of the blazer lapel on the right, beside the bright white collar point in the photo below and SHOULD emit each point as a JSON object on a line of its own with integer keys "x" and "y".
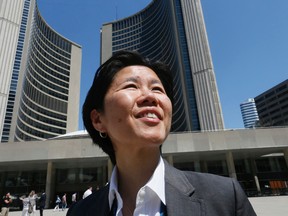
{"x": 179, "y": 194}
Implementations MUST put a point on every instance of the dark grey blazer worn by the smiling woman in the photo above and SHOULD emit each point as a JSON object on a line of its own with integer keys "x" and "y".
{"x": 187, "y": 193}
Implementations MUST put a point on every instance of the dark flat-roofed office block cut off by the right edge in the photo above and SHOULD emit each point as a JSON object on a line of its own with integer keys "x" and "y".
{"x": 272, "y": 106}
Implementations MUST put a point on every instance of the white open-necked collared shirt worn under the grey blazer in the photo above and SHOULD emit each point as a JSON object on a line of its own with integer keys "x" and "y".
{"x": 149, "y": 197}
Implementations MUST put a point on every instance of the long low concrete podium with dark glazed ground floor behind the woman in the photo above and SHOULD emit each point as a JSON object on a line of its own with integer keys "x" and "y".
{"x": 257, "y": 158}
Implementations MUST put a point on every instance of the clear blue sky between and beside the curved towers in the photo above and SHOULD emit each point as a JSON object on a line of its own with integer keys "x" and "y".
{"x": 248, "y": 41}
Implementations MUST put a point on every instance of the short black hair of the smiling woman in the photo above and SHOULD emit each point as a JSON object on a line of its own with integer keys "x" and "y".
{"x": 102, "y": 81}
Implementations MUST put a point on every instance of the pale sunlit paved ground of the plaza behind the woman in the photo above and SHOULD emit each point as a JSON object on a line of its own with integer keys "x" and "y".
{"x": 264, "y": 206}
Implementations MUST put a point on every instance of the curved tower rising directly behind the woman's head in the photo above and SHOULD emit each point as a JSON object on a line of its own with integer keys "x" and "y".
{"x": 173, "y": 31}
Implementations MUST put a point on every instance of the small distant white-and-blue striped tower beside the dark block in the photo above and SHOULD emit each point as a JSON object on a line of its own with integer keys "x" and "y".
{"x": 249, "y": 113}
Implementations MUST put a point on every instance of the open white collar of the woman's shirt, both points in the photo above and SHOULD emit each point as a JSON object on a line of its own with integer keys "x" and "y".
{"x": 155, "y": 183}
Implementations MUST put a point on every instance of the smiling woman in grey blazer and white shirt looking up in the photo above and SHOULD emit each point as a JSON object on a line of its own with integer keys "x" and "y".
{"x": 128, "y": 112}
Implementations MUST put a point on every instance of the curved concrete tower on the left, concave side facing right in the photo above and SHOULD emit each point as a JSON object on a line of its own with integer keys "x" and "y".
{"x": 39, "y": 77}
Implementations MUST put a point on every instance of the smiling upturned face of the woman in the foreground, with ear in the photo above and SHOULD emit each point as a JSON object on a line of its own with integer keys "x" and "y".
{"x": 137, "y": 111}
